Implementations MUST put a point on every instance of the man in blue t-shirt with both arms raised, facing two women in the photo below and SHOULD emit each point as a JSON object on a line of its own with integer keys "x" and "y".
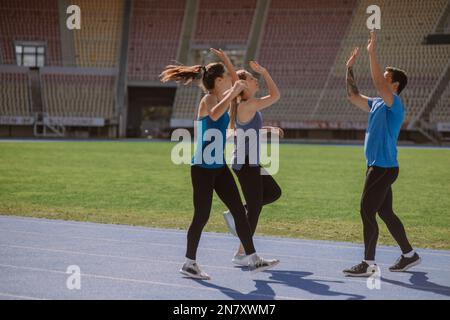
{"x": 386, "y": 114}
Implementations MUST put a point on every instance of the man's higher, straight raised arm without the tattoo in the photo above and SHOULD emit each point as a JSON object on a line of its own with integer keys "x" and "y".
{"x": 377, "y": 74}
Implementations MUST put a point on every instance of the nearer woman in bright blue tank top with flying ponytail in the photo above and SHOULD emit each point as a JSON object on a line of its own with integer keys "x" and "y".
{"x": 209, "y": 171}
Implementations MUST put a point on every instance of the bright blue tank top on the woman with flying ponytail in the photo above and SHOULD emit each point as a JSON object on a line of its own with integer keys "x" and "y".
{"x": 205, "y": 137}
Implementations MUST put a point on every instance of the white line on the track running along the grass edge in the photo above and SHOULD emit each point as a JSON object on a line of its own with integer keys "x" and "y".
{"x": 315, "y": 243}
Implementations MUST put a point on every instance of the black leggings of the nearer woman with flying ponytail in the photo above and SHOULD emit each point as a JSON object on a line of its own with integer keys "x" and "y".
{"x": 204, "y": 182}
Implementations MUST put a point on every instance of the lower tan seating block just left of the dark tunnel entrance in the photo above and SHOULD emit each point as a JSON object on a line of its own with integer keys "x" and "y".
{"x": 78, "y": 95}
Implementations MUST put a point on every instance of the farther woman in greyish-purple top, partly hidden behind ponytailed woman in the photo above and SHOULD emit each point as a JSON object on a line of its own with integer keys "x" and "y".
{"x": 259, "y": 188}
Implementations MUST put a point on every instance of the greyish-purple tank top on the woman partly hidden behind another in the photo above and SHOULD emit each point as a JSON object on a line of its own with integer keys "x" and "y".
{"x": 249, "y": 145}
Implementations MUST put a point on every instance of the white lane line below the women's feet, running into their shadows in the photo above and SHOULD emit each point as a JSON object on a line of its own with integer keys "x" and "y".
{"x": 141, "y": 281}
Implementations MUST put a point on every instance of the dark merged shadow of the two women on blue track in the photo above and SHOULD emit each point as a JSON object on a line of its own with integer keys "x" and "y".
{"x": 295, "y": 279}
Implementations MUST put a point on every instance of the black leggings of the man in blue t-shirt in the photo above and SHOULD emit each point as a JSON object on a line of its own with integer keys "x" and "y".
{"x": 377, "y": 197}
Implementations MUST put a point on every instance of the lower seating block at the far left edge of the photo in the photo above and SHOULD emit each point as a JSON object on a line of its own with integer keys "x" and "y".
{"x": 14, "y": 94}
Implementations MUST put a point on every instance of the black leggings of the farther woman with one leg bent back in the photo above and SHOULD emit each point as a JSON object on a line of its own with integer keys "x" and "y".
{"x": 258, "y": 191}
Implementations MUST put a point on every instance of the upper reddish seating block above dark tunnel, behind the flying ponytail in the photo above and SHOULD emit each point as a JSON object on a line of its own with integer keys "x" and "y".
{"x": 154, "y": 37}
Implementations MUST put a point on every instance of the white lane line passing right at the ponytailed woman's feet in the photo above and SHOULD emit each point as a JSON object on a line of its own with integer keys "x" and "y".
{"x": 177, "y": 263}
